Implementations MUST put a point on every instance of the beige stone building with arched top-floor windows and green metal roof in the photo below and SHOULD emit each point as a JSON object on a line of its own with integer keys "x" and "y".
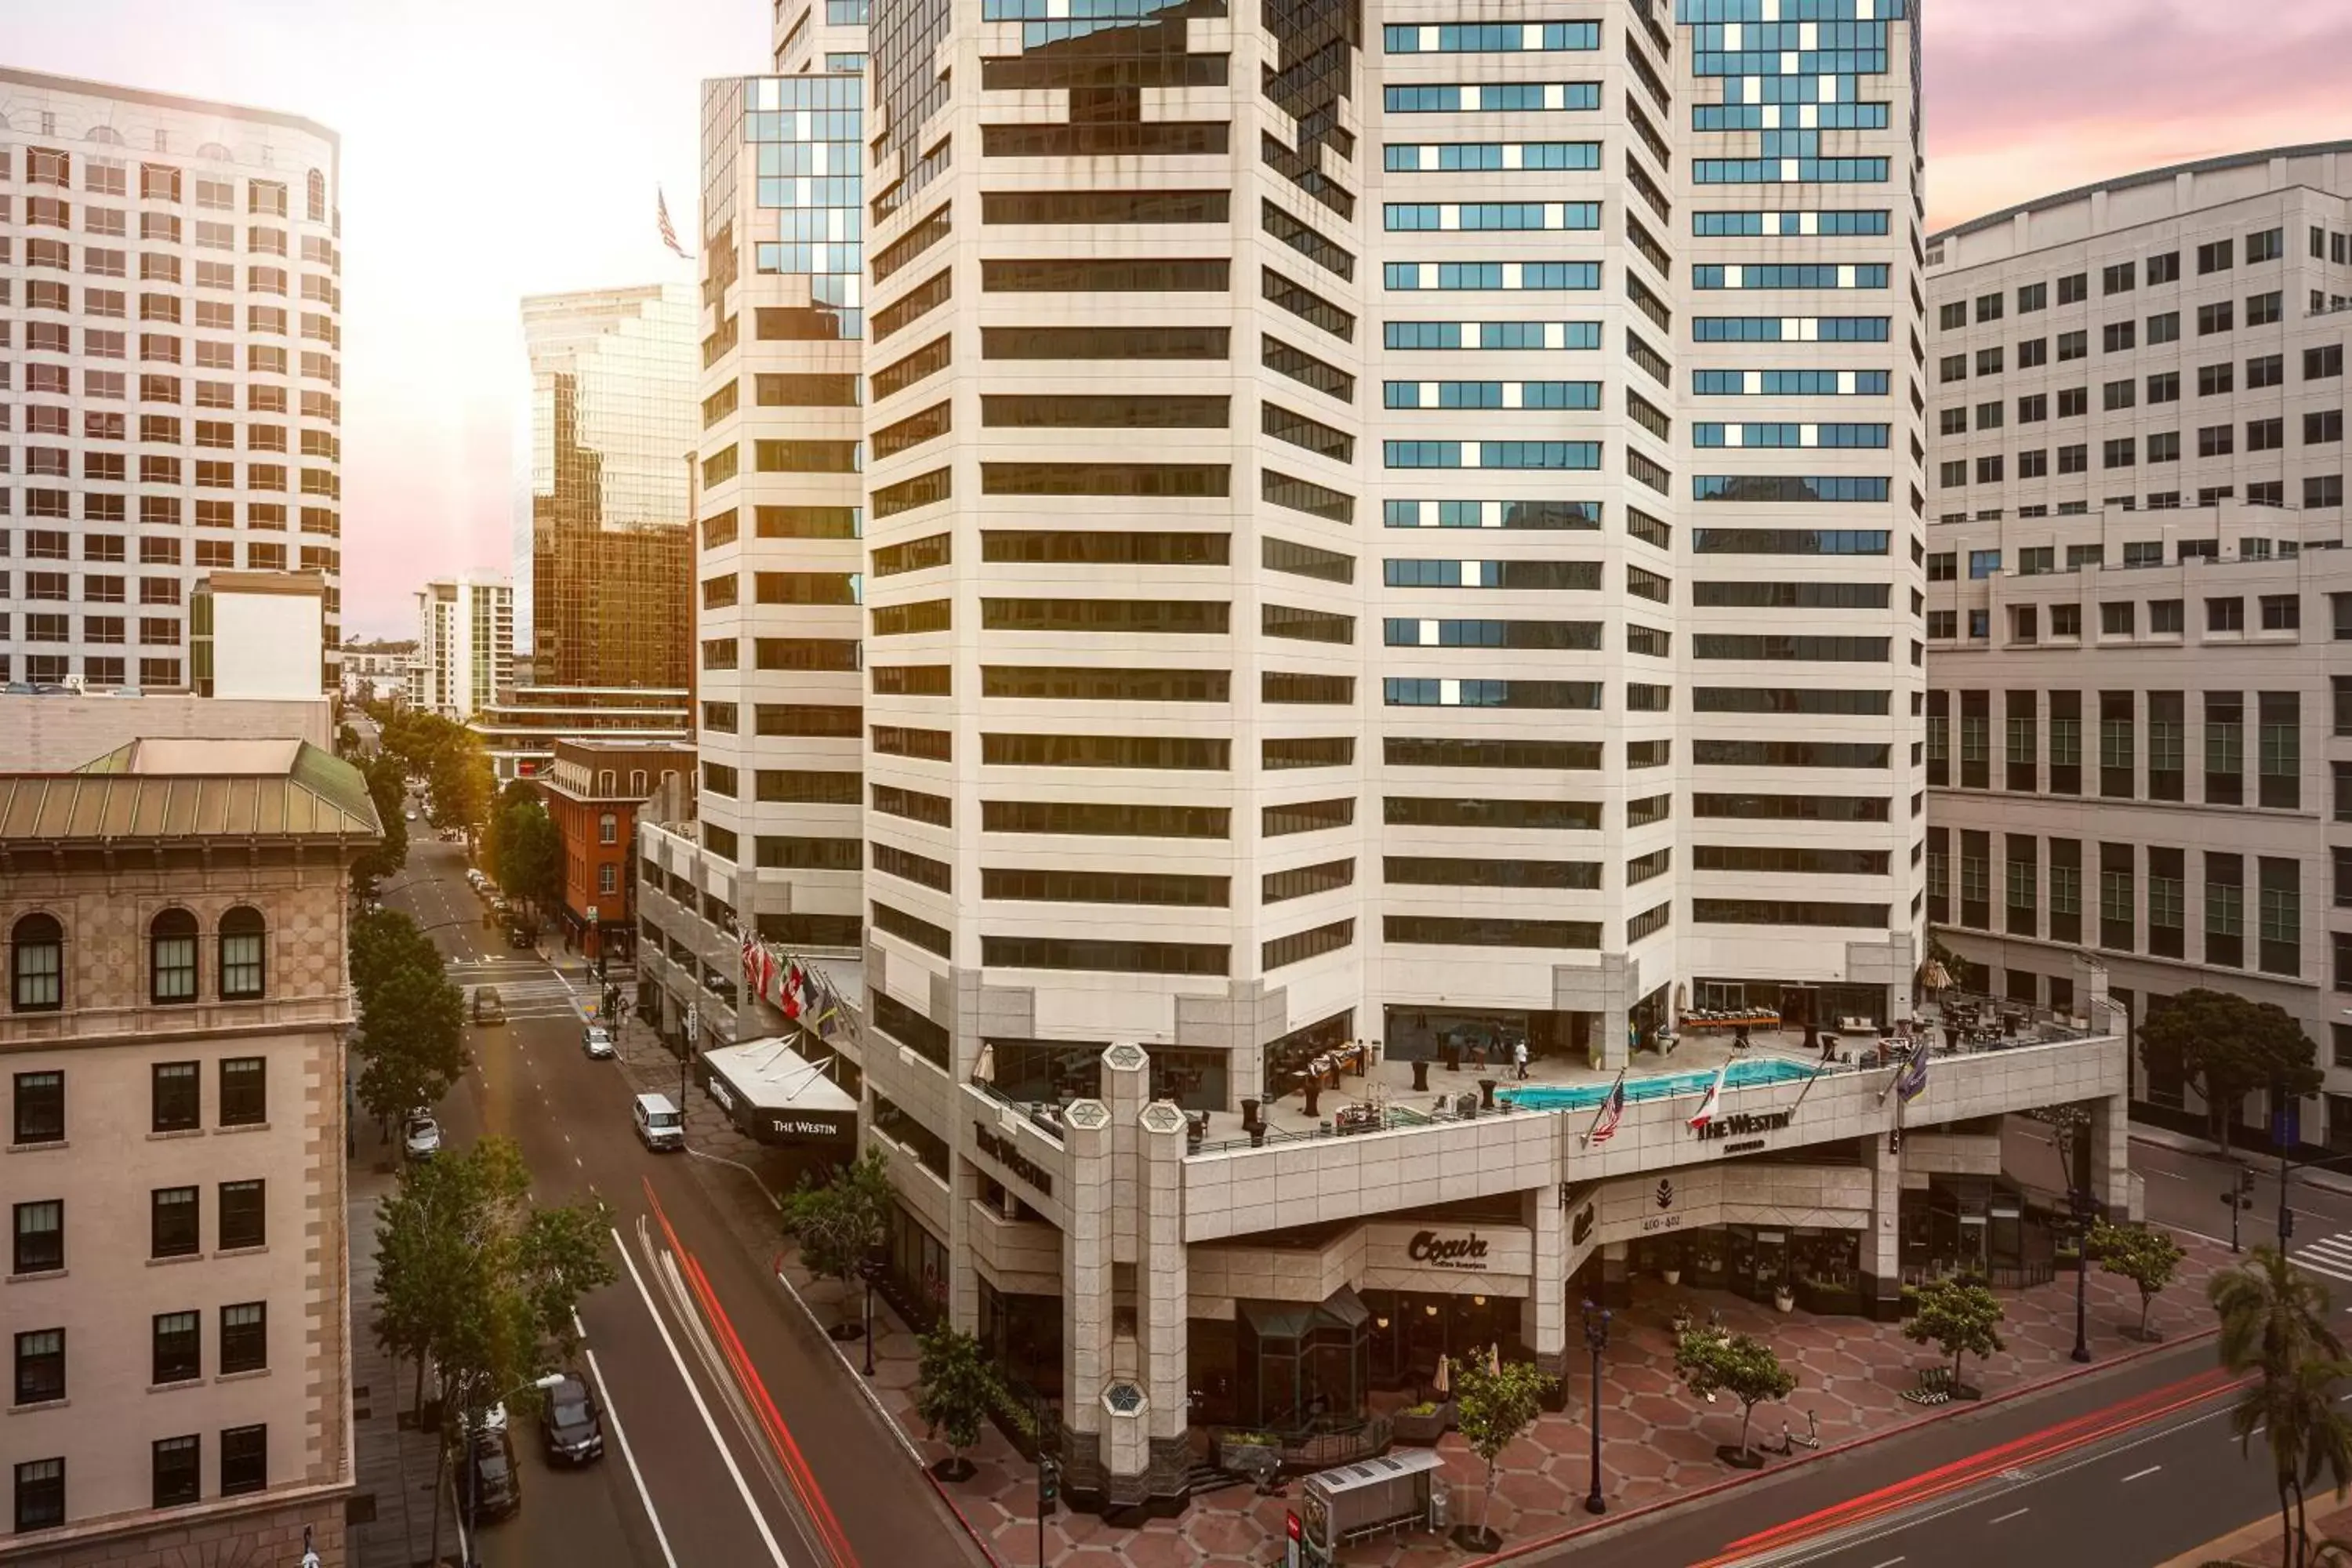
{"x": 149, "y": 1076}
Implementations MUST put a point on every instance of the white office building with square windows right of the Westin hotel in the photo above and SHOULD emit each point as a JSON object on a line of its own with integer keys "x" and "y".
{"x": 2132, "y": 659}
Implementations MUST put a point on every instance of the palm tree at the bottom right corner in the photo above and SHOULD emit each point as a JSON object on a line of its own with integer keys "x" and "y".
{"x": 2276, "y": 1325}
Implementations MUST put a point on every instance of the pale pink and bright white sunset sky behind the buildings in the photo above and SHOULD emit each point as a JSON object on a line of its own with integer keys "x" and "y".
{"x": 514, "y": 147}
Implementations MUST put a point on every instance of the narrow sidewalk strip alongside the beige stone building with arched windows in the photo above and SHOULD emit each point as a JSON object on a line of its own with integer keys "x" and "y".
{"x": 394, "y": 1466}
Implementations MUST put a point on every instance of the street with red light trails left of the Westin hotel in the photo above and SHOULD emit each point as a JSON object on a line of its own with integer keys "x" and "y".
{"x": 730, "y": 1438}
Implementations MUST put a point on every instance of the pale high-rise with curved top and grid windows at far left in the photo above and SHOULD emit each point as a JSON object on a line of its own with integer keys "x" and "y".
{"x": 175, "y": 370}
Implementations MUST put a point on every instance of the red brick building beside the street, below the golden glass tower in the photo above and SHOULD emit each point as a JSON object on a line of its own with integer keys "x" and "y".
{"x": 594, "y": 793}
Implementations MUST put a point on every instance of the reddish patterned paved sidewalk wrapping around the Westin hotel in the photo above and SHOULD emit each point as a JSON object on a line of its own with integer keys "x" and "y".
{"x": 1657, "y": 1440}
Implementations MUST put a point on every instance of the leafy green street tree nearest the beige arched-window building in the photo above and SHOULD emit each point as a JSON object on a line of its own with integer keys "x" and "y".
{"x": 481, "y": 1282}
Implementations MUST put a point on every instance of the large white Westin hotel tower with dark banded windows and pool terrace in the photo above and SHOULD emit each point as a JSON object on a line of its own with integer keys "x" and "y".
{"x": 1328, "y": 558}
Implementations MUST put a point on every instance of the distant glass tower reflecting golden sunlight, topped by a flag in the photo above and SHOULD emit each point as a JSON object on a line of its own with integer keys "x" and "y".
{"x": 613, "y": 434}
